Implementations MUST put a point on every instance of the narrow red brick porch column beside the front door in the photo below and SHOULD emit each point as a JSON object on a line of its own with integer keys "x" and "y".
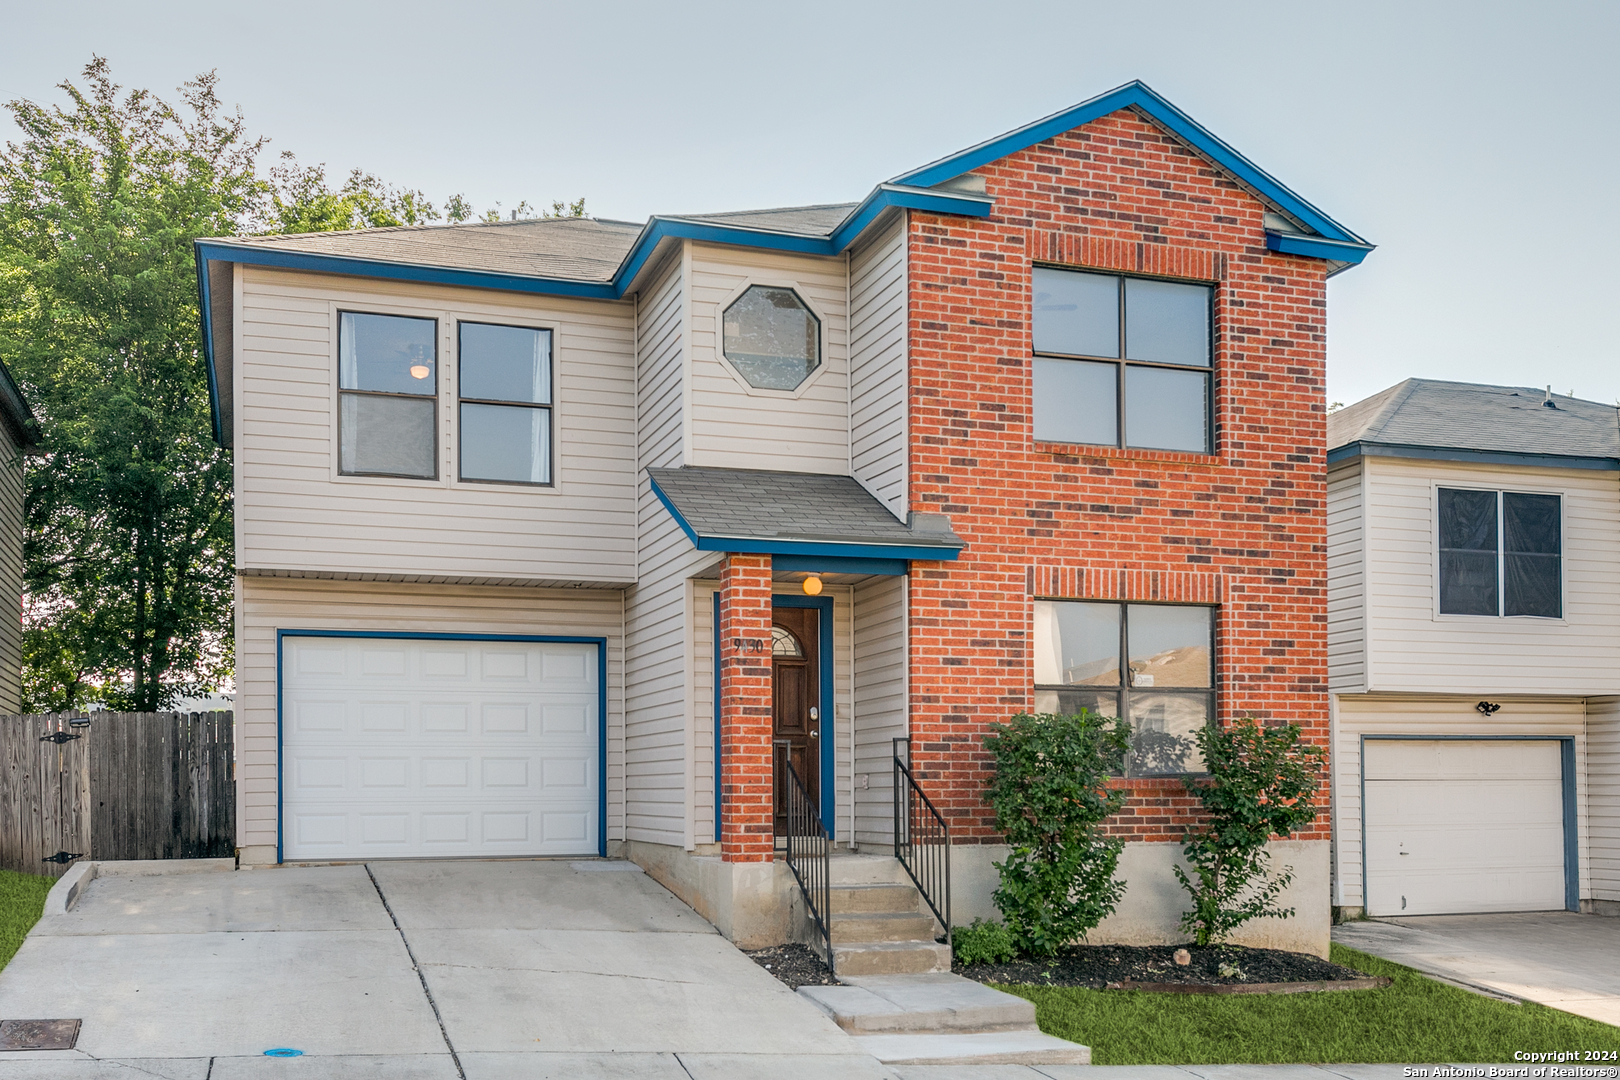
{"x": 746, "y": 710}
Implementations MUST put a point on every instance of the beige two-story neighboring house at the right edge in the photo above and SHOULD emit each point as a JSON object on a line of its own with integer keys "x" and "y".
{"x": 1475, "y": 632}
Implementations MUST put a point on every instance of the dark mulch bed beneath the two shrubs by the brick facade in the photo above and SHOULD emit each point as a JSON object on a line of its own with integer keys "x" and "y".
{"x": 1098, "y": 967}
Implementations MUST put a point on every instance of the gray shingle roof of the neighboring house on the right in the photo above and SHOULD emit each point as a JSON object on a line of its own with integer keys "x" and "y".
{"x": 1439, "y": 415}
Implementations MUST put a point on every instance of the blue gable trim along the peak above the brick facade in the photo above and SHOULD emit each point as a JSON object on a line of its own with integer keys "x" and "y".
{"x": 1135, "y": 95}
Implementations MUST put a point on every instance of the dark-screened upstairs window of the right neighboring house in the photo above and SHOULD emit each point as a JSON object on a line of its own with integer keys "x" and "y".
{"x": 1501, "y": 553}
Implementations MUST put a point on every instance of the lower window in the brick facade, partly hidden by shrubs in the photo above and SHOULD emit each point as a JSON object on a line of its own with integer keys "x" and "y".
{"x": 1166, "y": 689}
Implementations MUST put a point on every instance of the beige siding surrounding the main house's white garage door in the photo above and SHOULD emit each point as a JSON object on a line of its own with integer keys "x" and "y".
{"x": 270, "y": 605}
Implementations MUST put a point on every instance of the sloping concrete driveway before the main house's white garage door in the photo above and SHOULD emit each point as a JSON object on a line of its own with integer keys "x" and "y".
{"x": 409, "y": 971}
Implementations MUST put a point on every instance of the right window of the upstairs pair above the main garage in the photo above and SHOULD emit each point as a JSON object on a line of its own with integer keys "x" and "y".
{"x": 505, "y": 404}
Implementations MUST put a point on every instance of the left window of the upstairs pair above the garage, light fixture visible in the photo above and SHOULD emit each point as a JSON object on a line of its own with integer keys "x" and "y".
{"x": 388, "y": 386}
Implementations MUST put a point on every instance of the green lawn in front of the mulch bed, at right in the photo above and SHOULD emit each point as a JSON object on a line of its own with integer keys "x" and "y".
{"x": 1413, "y": 1021}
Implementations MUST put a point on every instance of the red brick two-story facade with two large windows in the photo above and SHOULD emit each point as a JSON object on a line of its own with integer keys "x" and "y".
{"x": 1243, "y": 529}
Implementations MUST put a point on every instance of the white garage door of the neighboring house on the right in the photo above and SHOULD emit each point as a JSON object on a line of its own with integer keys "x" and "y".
{"x": 1460, "y": 827}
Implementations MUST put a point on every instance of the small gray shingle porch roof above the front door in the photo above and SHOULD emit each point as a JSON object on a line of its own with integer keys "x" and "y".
{"x": 812, "y": 508}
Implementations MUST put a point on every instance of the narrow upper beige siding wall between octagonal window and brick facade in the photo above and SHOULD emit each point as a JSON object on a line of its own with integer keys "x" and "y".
{"x": 877, "y": 367}
